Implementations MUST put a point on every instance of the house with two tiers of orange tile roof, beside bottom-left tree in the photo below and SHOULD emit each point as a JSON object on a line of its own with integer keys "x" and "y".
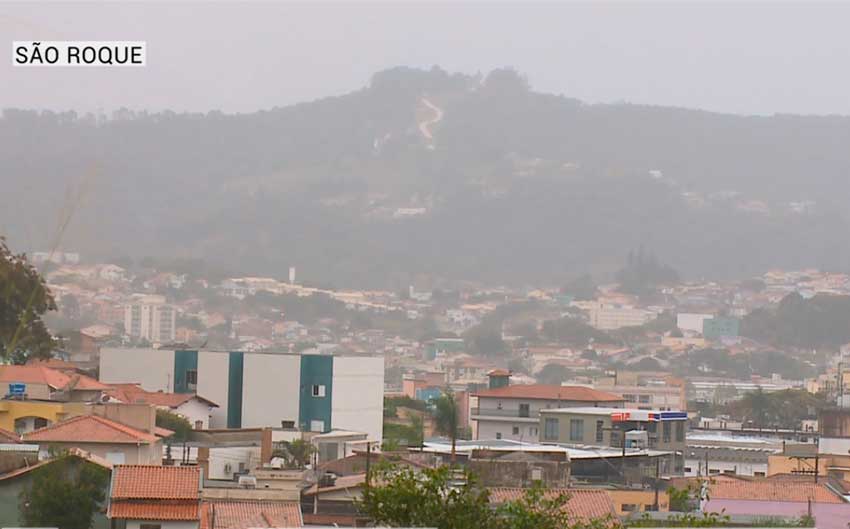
{"x": 144, "y": 497}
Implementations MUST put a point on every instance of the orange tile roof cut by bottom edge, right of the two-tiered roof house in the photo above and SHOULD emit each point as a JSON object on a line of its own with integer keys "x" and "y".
{"x": 249, "y": 514}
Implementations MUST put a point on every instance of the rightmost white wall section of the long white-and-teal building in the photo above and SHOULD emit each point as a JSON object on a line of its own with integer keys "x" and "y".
{"x": 358, "y": 395}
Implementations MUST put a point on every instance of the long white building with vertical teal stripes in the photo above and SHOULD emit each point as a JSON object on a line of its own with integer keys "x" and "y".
{"x": 316, "y": 392}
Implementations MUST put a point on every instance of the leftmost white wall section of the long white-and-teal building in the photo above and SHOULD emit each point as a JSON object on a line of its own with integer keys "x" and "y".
{"x": 152, "y": 368}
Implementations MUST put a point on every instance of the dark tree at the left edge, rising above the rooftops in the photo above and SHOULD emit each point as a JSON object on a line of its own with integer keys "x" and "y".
{"x": 24, "y": 298}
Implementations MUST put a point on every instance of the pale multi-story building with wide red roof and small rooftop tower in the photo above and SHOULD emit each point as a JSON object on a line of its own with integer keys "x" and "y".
{"x": 511, "y": 412}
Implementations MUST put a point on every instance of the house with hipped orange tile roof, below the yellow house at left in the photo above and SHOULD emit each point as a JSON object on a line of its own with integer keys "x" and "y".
{"x": 111, "y": 440}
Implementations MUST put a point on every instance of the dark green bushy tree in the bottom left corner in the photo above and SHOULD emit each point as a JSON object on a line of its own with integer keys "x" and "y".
{"x": 64, "y": 494}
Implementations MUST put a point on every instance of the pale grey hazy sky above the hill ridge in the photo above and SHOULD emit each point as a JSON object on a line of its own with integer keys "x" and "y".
{"x": 759, "y": 57}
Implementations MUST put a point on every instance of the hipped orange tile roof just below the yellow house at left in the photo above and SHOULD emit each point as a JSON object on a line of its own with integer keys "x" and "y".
{"x": 90, "y": 429}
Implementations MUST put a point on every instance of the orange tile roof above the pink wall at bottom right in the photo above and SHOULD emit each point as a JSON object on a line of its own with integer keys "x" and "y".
{"x": 782, "y": 490}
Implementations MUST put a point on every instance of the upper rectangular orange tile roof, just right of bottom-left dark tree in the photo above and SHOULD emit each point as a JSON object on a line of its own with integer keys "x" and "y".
{"x": 149, "y": 482}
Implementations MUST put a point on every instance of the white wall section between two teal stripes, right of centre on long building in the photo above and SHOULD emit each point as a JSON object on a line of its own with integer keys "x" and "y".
{"x": 270, "y": 389}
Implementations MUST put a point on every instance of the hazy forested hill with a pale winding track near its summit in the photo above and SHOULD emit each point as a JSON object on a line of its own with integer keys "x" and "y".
{"x": 430, "y": 174}
